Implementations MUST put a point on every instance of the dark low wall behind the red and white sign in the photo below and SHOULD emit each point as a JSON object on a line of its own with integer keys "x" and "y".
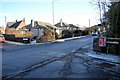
{"x": 112, "y": 46}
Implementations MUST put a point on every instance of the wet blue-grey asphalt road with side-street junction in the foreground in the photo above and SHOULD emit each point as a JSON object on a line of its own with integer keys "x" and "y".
{"x": 55, "y": 60}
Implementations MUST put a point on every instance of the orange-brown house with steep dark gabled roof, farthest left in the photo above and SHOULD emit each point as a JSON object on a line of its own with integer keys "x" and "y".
{"x": 15, "y": 28}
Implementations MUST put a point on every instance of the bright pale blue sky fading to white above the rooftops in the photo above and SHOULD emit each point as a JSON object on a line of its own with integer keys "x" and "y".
{"x": 70, "y": 11}
